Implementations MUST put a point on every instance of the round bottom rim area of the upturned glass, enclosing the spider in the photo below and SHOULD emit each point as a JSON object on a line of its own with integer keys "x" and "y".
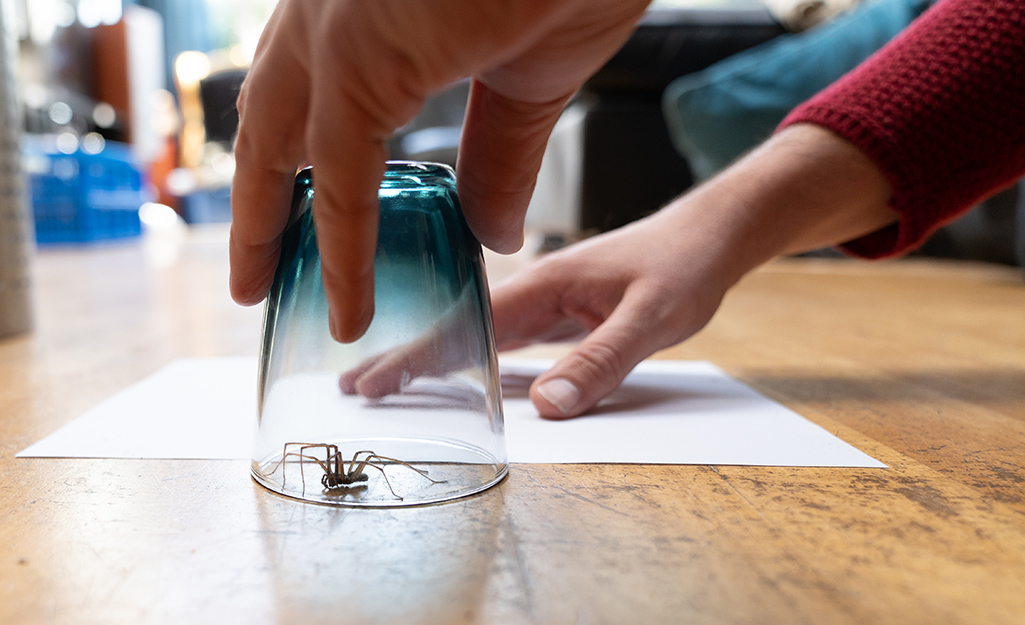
{"x": 380, "y": 473}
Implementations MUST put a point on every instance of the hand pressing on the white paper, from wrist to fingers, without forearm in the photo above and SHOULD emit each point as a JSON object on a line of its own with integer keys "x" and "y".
{"x": 623, "y": 296}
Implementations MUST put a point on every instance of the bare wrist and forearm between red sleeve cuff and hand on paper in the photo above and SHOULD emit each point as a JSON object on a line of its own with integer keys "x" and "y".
{"x": 804, "y": 189}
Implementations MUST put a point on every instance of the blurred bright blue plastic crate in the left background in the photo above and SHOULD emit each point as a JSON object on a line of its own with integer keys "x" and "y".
{"x": 83, "y": 198}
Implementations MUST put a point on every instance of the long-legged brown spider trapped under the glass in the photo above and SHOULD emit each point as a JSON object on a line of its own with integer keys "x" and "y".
{"x": 336, "y": 477}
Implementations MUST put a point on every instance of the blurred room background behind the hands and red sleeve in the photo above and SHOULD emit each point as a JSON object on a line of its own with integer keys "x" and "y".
{"x": 129, "y": 111}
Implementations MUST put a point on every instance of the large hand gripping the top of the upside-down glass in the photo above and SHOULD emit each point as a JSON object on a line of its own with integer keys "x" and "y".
{"x": 334, "y": 79}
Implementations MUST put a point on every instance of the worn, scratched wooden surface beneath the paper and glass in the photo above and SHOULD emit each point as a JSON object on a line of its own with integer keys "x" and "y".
{"x": 921, "y": 365}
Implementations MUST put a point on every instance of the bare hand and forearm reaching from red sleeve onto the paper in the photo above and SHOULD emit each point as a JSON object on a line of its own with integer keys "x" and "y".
{"x": 650, "y": 285}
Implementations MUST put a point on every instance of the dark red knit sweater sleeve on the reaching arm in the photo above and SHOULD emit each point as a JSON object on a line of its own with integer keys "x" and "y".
{"x": 940, "y": 111}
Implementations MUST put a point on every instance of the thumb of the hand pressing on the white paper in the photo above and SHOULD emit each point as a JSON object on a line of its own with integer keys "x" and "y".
{"x": 595, "y": 368}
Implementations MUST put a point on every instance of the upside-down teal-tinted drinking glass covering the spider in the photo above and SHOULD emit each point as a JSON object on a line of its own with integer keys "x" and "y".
{"x": 412, "y": 412}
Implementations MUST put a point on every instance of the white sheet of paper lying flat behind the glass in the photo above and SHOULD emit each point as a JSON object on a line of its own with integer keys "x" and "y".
{"x": 667, "y": 412}
